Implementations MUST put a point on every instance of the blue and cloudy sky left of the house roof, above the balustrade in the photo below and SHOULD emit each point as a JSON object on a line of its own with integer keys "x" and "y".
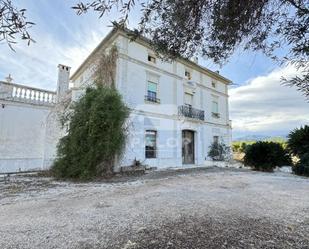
{"x": 61, "y": 37}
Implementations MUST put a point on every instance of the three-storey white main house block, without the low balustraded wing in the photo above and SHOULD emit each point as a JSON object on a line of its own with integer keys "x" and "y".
{"x": 178, "y": 108}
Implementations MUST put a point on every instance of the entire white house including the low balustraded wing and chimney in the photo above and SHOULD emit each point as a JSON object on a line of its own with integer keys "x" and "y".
{"x": 177, "y": 108}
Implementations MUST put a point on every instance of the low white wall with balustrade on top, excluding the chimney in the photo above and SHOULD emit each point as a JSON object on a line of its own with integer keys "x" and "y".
{"x": 23, "y": 114}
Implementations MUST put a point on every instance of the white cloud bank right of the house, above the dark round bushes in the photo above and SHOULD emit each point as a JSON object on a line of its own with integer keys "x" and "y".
{"x": 264, "y": 106}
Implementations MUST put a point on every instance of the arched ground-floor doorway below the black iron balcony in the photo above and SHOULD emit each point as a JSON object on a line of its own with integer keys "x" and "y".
{"x": 188, "y": 147}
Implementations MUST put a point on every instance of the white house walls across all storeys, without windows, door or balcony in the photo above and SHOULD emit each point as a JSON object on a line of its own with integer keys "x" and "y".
{"x": 131, "y": 81}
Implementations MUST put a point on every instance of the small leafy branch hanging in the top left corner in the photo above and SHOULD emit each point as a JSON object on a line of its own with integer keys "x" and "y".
{"x": 13, "y": 23}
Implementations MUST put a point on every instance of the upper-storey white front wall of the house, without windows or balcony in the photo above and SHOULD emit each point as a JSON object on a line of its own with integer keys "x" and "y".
{"x": 133, "y": 68}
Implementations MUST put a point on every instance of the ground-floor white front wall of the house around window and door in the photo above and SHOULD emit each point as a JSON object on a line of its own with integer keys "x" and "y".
{"x": 169, "y": 140}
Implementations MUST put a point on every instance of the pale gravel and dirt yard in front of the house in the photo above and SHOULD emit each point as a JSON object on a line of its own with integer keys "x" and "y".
{"x": 194, "y": 208}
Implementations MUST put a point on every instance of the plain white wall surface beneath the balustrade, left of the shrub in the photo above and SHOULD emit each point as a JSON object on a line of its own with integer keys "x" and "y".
{"x": 22, "y": 134}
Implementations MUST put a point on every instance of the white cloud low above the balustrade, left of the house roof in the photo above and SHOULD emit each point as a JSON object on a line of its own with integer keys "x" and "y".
{"x": 37, "y": 65}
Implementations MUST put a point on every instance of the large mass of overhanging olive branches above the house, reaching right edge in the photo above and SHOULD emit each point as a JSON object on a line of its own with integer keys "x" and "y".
{"x": 215, "y": 29}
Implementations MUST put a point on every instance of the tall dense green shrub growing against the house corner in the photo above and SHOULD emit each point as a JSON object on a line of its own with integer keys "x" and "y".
{"x": 96, "y": 134}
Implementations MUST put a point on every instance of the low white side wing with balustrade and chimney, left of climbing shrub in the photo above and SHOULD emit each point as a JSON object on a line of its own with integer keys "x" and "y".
{"x": 29, "y": 124}
